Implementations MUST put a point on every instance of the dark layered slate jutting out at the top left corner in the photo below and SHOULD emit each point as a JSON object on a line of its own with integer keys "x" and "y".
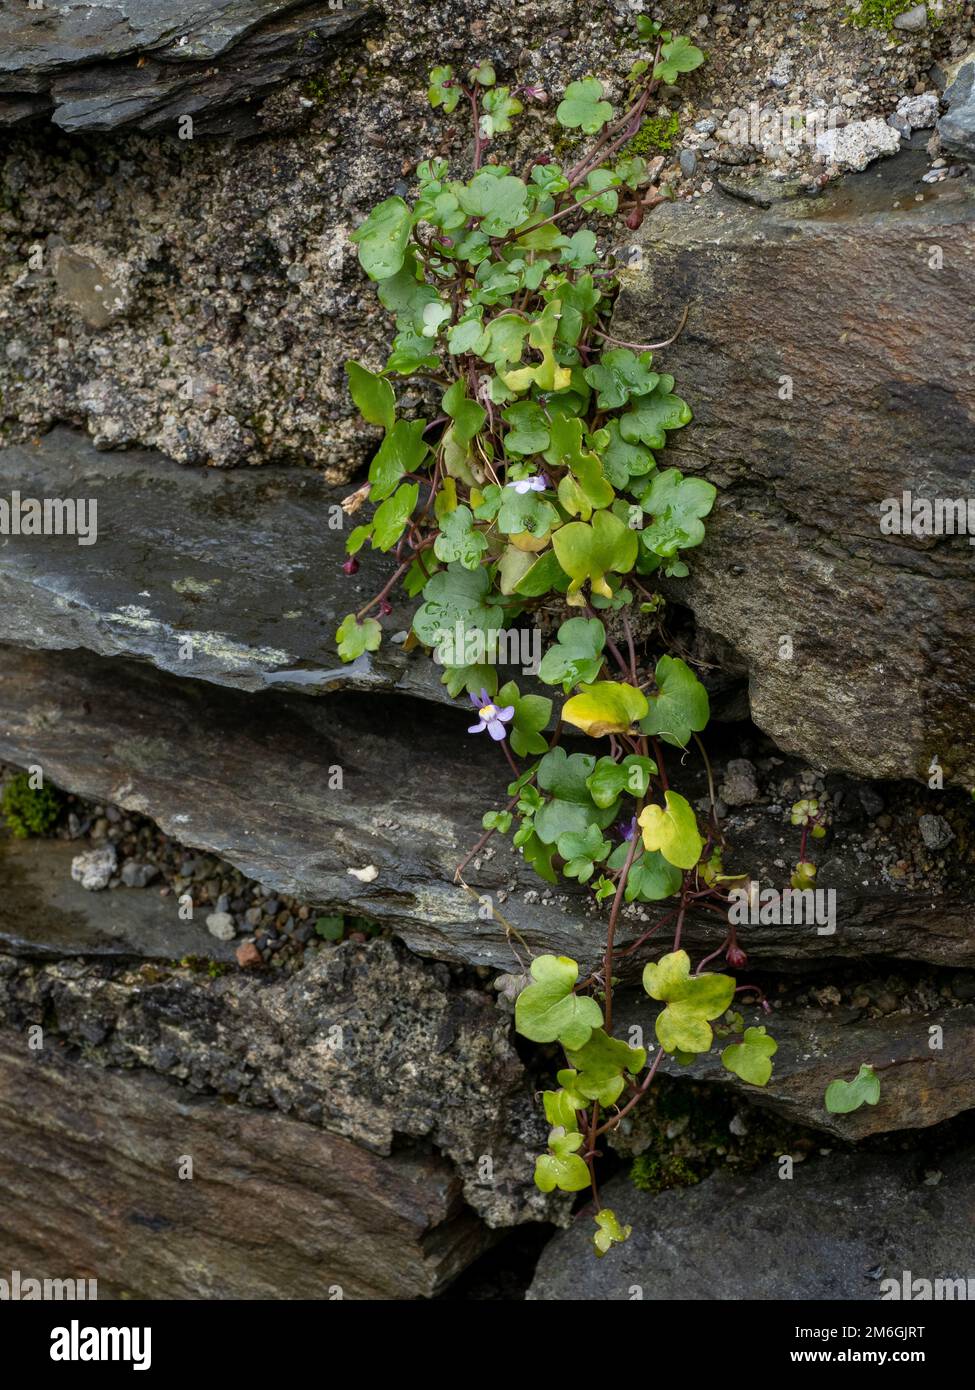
{"x": 74, "y": 62}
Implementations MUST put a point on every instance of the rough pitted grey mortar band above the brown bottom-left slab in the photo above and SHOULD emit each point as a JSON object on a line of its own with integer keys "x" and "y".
{"x": 366, "y": 1042}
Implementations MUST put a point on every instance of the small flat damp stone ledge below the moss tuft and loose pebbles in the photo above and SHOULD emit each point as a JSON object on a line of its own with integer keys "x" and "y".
{"x": 45, "y": 913}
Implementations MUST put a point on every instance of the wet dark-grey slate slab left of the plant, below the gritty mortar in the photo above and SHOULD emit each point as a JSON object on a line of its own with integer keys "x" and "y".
{"x": 233, "y": 579}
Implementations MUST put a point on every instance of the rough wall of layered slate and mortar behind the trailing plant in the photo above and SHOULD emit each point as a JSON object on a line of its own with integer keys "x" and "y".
{"x": 177, "y": 304}
